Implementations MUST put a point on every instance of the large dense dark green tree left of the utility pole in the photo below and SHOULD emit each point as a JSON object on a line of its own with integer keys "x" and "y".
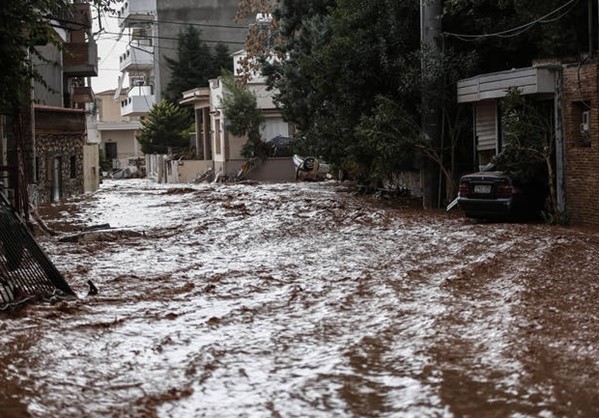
{"x": 342, "y": 58}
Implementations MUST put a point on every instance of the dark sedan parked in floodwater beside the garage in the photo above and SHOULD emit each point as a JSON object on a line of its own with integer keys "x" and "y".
{"x": 494, "y": 194}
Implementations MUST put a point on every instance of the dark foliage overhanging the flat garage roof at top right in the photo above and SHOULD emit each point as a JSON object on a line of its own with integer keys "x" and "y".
{"x": 559, "y": 35}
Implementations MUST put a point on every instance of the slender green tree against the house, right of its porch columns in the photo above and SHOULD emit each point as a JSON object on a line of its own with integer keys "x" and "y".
{"x": 243, "y": 118}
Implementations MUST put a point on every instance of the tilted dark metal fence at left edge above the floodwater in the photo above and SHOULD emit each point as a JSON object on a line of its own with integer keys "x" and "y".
{"x": 25, "y": 270}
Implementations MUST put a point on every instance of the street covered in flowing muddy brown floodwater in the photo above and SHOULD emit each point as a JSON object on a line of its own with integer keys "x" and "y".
{"x": 303, "y": 300}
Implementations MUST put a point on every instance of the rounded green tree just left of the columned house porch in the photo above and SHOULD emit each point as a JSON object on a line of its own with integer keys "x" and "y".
{"x": 164, "y": 130}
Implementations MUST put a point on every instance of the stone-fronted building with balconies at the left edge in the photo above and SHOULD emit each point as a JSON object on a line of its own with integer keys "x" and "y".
{"x": 45, "y": 154}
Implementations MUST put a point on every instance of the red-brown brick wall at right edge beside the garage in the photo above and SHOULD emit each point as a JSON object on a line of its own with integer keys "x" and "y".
{"x": 580, "y": 94}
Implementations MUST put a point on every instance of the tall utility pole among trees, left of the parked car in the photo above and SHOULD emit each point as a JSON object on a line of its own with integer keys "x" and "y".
{"x": 430, "y": 39}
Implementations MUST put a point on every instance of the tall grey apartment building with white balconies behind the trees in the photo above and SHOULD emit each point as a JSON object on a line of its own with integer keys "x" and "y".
{"x": 151, "y": 27}
